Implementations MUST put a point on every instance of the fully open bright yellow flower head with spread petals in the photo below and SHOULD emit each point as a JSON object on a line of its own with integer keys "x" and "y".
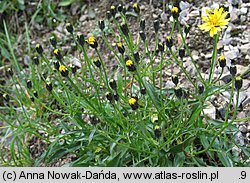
{"x": 215, "y": 20}
